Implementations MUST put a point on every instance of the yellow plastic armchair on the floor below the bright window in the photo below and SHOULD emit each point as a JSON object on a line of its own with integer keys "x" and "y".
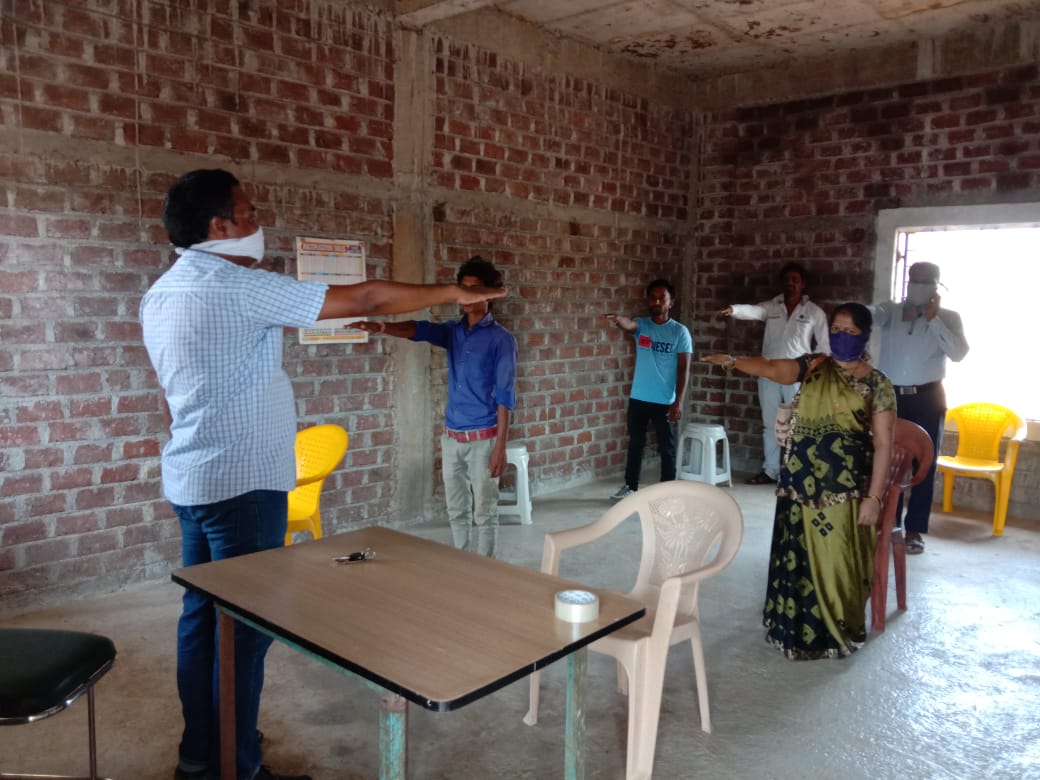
{"x": 981, "y": 429}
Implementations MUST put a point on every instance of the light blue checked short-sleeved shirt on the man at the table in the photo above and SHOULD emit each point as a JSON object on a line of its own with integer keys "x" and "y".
{"x": 214, "y": 333}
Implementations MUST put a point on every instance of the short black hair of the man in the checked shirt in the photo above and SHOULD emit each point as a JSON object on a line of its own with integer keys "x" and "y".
{"x": 196, "y": 199}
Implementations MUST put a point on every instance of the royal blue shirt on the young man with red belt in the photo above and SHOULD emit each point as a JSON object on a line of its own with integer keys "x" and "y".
{"x": 482, "y": 370}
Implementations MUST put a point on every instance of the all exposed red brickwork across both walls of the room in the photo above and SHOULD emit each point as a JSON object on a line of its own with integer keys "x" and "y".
{"x": 579, "y": 190}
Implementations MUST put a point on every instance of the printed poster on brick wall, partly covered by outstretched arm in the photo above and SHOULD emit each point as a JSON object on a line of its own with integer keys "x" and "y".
{"x": 332, "y": 262}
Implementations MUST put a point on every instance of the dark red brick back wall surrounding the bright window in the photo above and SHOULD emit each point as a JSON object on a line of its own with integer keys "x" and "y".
{"x": 804, "y": 181}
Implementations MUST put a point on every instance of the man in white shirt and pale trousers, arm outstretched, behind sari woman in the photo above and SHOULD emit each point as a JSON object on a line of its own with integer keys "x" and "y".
{"x": 793, "y": 323}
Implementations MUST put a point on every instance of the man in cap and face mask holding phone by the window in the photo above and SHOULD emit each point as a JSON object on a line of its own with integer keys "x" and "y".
{"x": 917, "y": 337}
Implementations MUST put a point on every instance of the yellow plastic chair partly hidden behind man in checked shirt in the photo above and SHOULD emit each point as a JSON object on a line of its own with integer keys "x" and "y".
{"x": 319, "y": 451}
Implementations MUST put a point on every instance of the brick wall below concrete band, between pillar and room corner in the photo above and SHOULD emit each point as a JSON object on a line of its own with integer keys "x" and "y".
{"x": 575, "y": 370}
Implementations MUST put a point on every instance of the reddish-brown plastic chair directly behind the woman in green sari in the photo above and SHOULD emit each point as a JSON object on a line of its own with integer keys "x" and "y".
{"x": 913, "y": 455}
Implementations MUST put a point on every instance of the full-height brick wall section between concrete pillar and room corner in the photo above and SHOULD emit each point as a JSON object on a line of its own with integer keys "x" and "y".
{"x": 606, "y": 159}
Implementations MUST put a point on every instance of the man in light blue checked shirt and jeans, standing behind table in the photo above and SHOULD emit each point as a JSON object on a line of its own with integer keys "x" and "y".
{"x": 213, "y": 326}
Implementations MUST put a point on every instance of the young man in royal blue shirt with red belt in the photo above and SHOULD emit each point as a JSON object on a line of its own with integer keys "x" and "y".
{"x": 482, "y": 379}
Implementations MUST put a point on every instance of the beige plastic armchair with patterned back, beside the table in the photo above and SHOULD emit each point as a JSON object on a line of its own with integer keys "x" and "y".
{"x": 691, "y": 532}
